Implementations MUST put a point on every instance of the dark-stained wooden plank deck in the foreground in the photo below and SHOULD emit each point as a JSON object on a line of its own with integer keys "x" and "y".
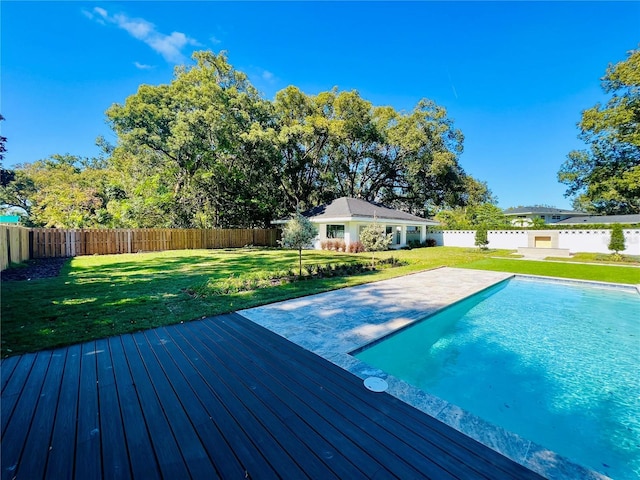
{"x": 218, "y": 398}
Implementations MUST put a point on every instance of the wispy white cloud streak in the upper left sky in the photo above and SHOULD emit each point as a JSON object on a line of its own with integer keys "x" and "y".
{"x": 169, "y": 46}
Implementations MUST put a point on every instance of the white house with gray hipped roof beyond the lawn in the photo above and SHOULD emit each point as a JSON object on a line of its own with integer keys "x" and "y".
{"x": 344, "y": 219}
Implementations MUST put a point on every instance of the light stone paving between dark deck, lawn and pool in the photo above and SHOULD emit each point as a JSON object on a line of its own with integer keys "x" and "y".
{"x": 335, "y": 323}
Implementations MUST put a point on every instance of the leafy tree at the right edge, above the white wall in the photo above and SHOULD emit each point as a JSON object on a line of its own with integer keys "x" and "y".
{"x": 606, "y": 178}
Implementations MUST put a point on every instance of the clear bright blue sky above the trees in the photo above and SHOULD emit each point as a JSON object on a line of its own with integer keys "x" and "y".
{"x": 513, "y": 76}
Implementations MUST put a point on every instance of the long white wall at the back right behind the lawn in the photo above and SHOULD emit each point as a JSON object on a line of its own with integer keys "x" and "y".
{"x": 592, "y": 241}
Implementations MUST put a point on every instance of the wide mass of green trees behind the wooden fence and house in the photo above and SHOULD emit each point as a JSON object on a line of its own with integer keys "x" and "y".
{"x": 207, "y": 150}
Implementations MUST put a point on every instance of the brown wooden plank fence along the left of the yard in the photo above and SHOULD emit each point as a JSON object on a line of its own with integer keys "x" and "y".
{"x": 53, "y": 242}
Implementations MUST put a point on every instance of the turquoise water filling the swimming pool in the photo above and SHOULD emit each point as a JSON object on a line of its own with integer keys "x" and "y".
{"x": 555, "y": 363}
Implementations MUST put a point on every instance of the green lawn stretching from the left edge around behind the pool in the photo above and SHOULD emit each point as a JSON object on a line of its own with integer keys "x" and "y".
{"x": 99, "y": 296}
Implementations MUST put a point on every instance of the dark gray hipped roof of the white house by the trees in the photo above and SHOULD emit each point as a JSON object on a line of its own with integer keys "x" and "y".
{"x": 354, "y": 208}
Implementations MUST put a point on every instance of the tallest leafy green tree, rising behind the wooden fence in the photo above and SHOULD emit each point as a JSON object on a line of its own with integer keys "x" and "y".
{"x": 210, "y": 136}
